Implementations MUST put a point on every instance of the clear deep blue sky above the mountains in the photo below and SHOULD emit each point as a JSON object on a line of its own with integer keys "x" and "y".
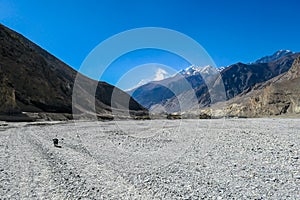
{"x": 230, "y": 31}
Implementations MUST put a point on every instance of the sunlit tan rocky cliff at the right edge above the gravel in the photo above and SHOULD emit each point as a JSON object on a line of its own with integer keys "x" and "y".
{"x": 278, "y": 96}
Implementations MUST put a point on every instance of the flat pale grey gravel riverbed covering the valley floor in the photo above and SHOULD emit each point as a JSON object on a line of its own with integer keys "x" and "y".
{"x": 189, "y": 159}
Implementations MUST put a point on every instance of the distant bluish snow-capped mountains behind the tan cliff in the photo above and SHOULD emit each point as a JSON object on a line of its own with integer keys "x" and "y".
{"x": 235, "y": 79}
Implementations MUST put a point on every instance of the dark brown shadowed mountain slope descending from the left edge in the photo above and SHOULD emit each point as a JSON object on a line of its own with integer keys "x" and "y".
{"x": 32, "y": 80}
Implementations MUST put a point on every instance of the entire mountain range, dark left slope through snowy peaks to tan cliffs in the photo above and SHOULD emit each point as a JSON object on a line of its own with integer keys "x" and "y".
{"x": 36, "y": 85}
